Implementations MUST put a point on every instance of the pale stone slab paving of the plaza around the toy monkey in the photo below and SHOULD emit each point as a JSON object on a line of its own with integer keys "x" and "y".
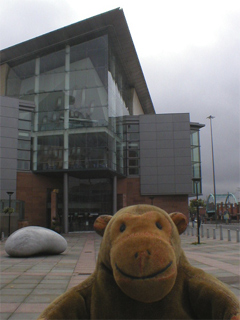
{"x": 28, "y": 285}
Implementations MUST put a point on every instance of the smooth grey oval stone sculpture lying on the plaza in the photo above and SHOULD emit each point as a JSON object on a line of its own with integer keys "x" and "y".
{"x": 30, "y": 241}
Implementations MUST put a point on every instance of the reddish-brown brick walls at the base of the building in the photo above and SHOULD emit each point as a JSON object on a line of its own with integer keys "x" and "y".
{"x": 32, "y": 189}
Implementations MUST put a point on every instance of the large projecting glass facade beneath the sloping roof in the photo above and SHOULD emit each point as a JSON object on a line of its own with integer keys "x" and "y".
{"x": 81, "y": 95}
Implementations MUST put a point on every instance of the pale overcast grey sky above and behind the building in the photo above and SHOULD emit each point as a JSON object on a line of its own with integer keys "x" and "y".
{"x": 190, "y": 55}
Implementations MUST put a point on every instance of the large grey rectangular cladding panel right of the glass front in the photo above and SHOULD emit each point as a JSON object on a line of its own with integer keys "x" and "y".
{"x": 171, "y": 156}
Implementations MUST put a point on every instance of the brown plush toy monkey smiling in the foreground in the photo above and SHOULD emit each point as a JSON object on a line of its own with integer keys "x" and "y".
{"x": 142, "y": 273}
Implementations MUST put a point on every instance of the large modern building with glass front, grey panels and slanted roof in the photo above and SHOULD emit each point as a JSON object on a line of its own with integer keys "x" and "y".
{"x": 79, "y": 132}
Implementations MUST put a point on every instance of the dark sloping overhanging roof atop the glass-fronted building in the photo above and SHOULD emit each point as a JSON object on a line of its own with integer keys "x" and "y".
{"x": 113, "y": 23}
